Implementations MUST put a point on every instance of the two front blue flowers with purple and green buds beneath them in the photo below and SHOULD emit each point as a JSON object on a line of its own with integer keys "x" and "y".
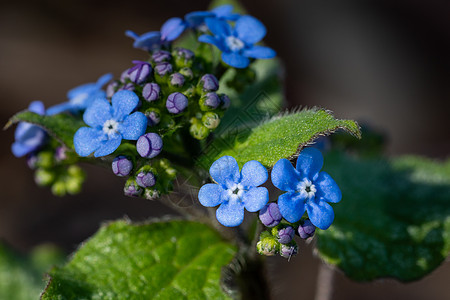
{"x": 307, "y": 190}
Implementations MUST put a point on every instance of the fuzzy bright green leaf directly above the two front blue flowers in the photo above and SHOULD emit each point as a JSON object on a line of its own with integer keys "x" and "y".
{"x": 280, "y": 137}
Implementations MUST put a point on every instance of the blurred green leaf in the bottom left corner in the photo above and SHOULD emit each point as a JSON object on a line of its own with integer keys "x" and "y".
{"x": 21, "y": 277}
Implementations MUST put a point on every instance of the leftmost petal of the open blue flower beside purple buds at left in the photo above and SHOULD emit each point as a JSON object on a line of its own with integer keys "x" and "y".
{"x": 86, "y": 140}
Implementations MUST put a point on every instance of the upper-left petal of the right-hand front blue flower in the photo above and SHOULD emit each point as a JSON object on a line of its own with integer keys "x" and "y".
{"x": 284, "y": 176}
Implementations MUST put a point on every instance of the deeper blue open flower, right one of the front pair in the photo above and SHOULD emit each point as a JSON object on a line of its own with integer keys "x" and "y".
{"x": 307, "y": 189}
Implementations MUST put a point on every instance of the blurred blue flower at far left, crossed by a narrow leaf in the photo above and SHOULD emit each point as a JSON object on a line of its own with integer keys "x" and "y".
{"x": 29, "y": 137}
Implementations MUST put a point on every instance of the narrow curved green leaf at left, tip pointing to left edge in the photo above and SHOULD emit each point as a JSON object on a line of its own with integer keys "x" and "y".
{"x": 62, "y": 126}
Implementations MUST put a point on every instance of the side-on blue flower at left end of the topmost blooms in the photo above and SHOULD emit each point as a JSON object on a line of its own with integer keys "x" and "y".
{"x": 170, "y": 30}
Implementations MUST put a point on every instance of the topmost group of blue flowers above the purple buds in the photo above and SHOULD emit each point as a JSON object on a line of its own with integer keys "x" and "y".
{"x": 236, "y": 36}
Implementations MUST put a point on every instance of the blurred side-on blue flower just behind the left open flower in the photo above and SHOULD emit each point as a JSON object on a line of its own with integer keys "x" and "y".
{"x": 82, "y": 96}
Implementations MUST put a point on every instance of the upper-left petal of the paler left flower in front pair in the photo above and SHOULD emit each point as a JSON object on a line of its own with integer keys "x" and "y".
{"x": 225, "y": 171}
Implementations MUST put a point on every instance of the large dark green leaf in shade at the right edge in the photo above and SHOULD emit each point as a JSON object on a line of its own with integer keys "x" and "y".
{"x": 393, "y": 220}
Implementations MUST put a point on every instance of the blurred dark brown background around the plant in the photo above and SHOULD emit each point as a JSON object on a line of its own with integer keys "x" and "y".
{"x": 385, "y": 63}
